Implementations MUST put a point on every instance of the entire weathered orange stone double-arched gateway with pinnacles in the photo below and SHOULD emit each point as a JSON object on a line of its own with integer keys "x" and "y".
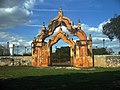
{"x": 81, "y": 49}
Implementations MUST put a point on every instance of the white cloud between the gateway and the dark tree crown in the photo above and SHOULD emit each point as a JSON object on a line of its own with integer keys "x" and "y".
{"x": 97, "y": 37}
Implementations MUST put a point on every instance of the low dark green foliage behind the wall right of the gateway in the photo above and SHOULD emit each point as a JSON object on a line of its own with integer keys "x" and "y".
{"x": 102, "y": 51}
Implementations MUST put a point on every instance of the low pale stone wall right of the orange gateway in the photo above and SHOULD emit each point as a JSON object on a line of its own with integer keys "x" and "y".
{"x": 107, "y": 60}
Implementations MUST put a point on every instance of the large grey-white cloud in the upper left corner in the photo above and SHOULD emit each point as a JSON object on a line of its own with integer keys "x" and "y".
{"x": 15, "y": 12}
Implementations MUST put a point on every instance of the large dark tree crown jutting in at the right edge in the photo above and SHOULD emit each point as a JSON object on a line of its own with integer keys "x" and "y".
{"x": 112, "y": 28}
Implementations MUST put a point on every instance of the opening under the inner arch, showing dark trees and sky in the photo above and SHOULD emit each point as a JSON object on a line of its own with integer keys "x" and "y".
{"x": 60, "y": 55}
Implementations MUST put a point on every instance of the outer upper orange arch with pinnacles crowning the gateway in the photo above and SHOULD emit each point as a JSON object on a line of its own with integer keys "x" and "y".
{"x": 61, "y": 20}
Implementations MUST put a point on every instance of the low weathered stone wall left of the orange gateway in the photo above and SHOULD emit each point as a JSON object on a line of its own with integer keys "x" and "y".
{"x": 15, "y": 60}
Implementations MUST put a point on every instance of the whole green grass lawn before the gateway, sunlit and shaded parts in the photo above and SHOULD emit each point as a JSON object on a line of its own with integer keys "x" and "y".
{"x": 36, "y": 78}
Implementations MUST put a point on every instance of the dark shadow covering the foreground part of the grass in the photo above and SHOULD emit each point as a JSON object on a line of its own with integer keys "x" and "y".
{"x": 84, "y": 81}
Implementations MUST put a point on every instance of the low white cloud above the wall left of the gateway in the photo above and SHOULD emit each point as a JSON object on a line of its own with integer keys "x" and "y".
{"x": 17, "y": 41}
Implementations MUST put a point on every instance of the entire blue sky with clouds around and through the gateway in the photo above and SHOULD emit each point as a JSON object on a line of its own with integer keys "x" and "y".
{"x": 21, "y": 20}
